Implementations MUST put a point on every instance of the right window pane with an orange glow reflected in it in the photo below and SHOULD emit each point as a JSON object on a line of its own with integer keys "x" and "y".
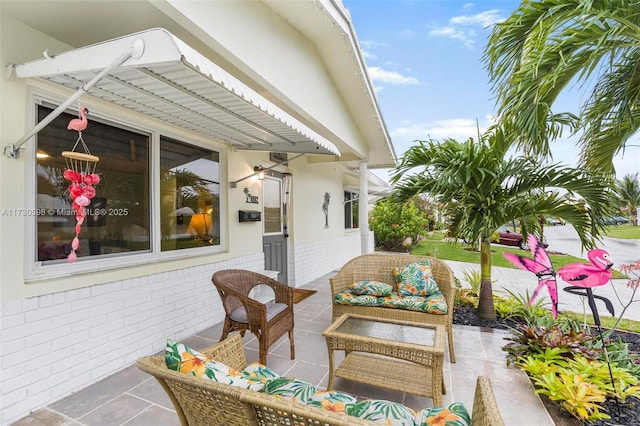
{"x": 189, "y": 196}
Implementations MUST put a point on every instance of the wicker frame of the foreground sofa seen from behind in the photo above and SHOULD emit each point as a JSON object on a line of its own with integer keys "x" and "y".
{"x": 204, "y": 402}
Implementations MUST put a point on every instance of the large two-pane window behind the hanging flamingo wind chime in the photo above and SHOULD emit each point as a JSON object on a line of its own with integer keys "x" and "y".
{"x": 119, "y": 220}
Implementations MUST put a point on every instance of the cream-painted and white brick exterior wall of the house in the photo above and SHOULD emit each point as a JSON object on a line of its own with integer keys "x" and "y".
{"x": 59, "y": 334}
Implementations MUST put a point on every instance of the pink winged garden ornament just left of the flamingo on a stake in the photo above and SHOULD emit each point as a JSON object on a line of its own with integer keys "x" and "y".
{"x": 542, "y": 267}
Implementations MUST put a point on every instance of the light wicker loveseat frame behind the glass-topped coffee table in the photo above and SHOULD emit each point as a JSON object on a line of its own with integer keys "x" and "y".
{"x": 379, "y": 267}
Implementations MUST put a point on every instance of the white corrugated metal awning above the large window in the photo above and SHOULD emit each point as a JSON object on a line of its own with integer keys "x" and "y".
{"x": 176, "y": 84}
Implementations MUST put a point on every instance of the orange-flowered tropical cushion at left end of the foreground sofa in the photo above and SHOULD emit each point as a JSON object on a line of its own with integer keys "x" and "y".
{"x": 179, "y": 357}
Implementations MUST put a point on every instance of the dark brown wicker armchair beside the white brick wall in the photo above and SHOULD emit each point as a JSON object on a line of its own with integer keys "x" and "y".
{"x": 267, "y": 321}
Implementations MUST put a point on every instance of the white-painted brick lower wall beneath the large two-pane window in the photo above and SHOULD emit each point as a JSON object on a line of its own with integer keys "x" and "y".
{"x": 56, "y": 344}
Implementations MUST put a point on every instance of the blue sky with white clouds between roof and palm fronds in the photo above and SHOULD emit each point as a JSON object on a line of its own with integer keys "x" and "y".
{"x": 424, "y": 58}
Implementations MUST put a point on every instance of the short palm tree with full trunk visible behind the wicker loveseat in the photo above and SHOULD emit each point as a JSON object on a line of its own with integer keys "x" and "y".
{"x": 483, "y": 189}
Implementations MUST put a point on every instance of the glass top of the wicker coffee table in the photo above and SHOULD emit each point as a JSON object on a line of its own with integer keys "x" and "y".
{"x": 388, "y": 331}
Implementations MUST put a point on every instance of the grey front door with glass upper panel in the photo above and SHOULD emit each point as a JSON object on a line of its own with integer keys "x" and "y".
{"x": 274, "y": 241}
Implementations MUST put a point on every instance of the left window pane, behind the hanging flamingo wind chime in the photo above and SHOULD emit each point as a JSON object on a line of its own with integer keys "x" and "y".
{"x": 117, "y": 219}
